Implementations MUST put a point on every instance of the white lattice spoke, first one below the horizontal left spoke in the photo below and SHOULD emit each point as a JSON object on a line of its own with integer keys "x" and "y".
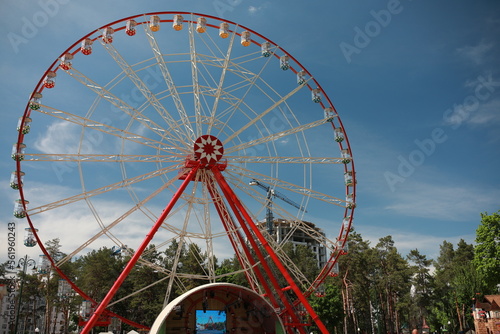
{"x": 101, "y": 190}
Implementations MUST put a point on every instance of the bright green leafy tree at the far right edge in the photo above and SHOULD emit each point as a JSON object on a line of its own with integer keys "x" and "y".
{"x": 487, "y": 251}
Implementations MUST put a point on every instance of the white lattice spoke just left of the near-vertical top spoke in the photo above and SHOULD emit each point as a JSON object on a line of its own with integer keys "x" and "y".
{"x": 168, "y": 80}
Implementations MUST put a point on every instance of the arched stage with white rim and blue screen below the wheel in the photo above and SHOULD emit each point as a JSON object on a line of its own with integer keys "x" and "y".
{"x": 218, "y": 308}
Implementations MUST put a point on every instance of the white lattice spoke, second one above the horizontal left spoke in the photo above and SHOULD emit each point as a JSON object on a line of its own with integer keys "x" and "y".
{"x": 127, "y": 109}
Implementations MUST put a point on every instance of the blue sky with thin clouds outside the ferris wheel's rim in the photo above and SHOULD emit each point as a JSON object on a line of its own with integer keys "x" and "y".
{"x": 416, "y": 83}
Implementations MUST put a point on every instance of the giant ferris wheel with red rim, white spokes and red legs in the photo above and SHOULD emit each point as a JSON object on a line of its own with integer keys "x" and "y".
{"x": 155, "y": 129}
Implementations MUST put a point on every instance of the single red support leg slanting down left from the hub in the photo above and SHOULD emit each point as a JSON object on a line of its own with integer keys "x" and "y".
{"x": 131, "y": 263}
